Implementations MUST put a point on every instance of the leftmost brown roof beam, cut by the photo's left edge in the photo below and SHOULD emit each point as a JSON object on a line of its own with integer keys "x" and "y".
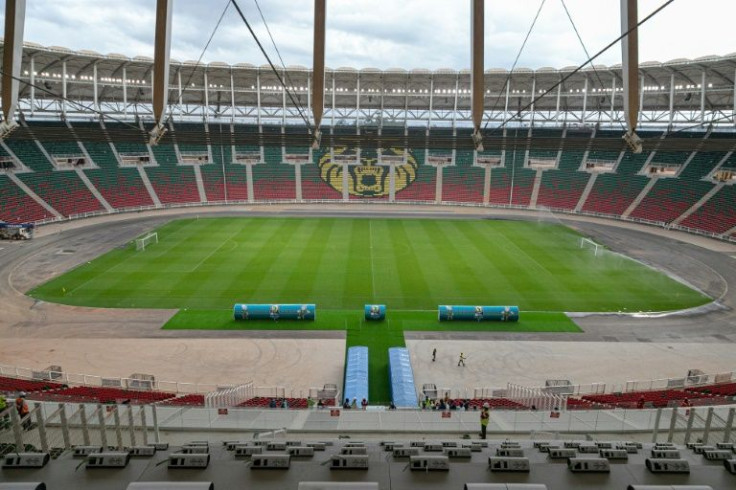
{"x": 15, "y": 14}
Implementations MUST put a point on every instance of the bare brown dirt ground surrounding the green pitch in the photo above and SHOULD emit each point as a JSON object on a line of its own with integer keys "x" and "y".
{"x": 118, "y": 342}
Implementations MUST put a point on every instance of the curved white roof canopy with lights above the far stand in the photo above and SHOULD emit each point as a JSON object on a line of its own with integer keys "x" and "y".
{"x": 397, "y": 88}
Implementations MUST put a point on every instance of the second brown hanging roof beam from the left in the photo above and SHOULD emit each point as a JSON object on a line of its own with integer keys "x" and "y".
{"x": 161, "y": 54}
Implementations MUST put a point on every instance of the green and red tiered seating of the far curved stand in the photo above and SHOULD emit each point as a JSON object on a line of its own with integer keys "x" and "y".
{"x": 671, "y": 198}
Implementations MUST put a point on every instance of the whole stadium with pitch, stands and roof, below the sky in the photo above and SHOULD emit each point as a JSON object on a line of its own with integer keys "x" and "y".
{"x": 207, "y": 267}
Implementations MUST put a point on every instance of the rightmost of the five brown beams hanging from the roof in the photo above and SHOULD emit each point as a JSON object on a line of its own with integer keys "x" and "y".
{"x": 630, "y": 68}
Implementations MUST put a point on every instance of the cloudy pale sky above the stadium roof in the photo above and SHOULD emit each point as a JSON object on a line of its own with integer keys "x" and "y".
{"x": 387, "y": 33}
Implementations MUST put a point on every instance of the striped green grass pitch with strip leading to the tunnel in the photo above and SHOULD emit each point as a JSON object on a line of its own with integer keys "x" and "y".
{"x": 203, "y": 266}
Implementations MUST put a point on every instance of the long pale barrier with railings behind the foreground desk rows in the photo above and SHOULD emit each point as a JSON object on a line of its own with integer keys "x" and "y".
{"x": 58, "y": 425}
